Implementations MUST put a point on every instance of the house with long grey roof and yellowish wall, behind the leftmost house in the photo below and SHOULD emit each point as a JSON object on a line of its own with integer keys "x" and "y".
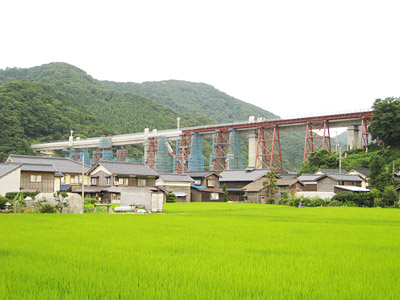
{"x": 70, "y": 170}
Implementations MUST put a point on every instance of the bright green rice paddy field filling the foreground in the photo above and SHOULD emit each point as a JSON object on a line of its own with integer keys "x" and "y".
{"x": 203, "y": 251}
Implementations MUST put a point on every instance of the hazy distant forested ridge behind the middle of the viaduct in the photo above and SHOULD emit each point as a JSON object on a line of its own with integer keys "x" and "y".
{"x": 195, "y": 98}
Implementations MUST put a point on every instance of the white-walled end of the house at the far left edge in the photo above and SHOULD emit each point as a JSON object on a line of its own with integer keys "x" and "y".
{"x": 10, "y": 178}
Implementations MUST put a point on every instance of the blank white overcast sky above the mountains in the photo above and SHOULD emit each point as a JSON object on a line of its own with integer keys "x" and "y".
{"x": 290, "y": 57}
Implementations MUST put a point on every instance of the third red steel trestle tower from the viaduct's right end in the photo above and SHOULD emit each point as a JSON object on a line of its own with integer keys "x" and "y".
{"x": 268, "y": 153}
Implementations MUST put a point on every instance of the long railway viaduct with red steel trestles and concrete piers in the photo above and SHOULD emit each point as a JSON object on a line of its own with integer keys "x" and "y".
{"x": 263, "y": 141}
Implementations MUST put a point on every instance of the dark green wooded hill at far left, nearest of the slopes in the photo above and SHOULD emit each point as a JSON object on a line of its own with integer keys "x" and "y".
{"x": 34, "y": 112}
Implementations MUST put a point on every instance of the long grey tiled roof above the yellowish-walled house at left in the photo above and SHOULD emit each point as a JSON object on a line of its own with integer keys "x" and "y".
{"x": 62, "y": 164}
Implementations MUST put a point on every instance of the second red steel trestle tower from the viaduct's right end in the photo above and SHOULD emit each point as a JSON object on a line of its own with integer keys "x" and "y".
{"x": 317, "y": 138}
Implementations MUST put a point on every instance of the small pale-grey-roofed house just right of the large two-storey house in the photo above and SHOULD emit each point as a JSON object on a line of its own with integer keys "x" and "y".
{"x": 179, "y": 184}
